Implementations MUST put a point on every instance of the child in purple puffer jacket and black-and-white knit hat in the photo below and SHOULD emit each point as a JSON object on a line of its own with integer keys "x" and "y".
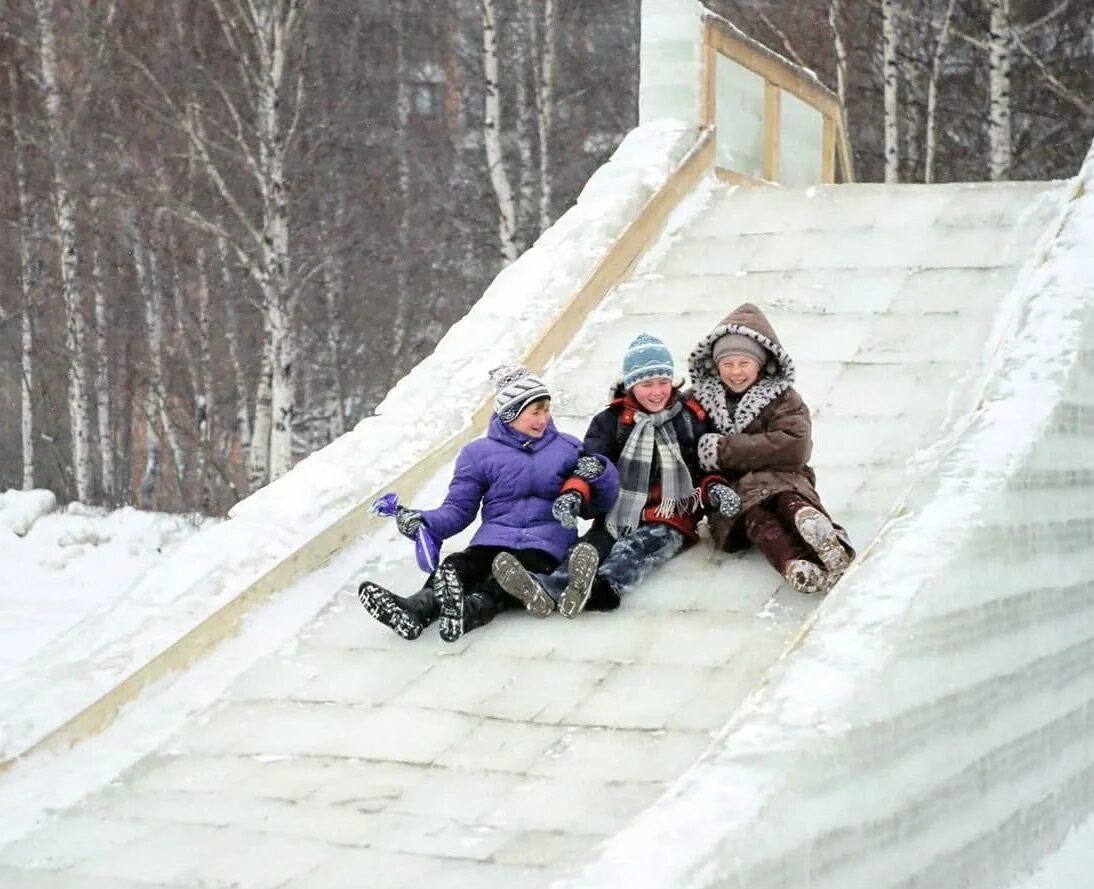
{"x": 522, "y": 474}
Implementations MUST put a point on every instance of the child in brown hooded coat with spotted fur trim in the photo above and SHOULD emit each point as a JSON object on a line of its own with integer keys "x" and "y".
{"x": 746, "y": 381}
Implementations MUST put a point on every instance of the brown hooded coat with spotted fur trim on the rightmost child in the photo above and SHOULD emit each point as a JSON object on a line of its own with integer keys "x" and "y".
{"x": 764, "y": 438}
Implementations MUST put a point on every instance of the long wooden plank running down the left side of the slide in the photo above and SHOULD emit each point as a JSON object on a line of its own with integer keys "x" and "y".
{"x": 225, "y": 623}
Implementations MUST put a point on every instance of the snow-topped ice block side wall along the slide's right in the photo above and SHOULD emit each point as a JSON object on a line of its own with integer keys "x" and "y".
{"x": 936, "y": 727}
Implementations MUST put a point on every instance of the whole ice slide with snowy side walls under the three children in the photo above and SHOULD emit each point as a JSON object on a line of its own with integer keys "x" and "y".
{"x": 927, "y": 724}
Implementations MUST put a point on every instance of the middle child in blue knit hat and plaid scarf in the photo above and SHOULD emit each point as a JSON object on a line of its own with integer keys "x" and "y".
{"x": 650, "y": 431}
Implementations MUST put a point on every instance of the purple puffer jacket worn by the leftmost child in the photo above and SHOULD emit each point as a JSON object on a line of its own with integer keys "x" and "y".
{"x": 517, "y": 481}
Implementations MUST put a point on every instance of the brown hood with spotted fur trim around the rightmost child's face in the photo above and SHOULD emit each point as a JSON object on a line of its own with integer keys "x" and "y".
{"x": 778, "y": 375}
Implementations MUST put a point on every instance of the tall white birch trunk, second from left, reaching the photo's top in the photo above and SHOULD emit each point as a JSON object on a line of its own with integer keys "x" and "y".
{"x": 64, "y": 207}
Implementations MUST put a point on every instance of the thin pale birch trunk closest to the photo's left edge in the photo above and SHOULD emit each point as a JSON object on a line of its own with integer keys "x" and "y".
{"x": 27, "y": 280}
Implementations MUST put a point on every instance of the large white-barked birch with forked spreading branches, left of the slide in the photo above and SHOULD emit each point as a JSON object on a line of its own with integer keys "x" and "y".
{"x": 266, "y": 43}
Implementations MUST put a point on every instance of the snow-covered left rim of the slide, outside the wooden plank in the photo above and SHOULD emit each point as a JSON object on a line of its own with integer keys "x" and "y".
{"x": 212, "y": 569}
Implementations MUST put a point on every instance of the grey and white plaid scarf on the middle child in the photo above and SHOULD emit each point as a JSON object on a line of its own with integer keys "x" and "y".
{"x": 653, "y": 436}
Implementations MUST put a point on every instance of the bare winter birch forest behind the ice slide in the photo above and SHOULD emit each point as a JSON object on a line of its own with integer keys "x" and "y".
{"x": 230, "y": 226}
